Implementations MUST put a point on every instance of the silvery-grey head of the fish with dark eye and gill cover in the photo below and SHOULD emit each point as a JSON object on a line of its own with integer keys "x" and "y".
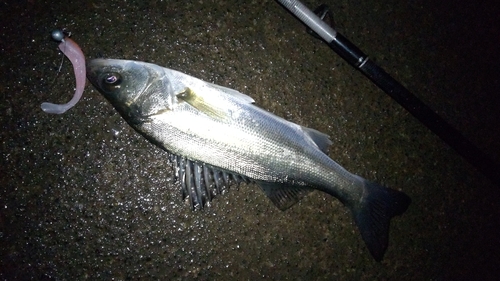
{"x": 137, "y": 90}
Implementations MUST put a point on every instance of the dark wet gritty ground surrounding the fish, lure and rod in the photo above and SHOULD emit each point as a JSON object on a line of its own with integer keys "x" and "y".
{"x": 82, "y": 196}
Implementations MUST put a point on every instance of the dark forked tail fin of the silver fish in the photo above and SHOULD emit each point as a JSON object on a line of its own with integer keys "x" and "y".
{"x": 373, "y": 213}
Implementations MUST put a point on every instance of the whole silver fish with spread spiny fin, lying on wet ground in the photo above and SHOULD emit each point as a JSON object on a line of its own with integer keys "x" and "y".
{"x": 217, "y": 137}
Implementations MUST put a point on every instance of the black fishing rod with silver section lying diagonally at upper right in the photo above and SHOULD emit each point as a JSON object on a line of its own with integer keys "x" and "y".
{"x": 356, "y": 58}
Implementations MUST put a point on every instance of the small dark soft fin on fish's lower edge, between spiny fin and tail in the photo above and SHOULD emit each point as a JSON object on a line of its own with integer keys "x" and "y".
{"x": 282, "y": 195}
